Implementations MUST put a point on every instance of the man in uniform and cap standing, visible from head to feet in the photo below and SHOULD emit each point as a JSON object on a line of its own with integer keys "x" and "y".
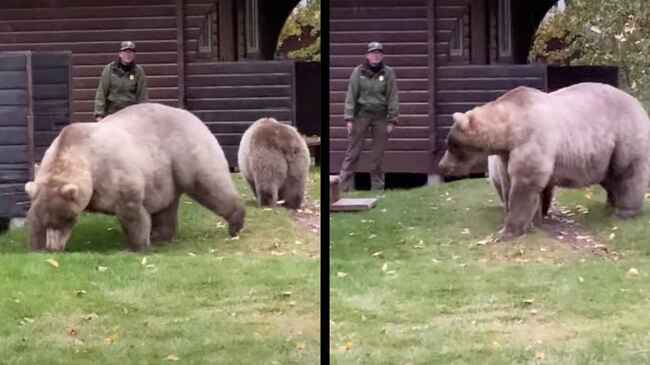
{"x": 372, "y": 104}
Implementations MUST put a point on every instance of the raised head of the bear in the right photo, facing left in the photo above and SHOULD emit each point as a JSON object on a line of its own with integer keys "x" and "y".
{"x": 462, "y": 151}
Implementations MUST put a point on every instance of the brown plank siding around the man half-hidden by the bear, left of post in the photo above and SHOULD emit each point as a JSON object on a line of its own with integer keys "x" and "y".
{"x": 93, "y": 31}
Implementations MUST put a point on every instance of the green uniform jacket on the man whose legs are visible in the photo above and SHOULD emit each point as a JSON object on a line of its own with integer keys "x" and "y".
{"x": 371, "y": 93}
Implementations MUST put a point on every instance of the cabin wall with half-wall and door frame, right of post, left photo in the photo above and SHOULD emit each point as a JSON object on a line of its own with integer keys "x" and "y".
{"x": 228, "y": 84}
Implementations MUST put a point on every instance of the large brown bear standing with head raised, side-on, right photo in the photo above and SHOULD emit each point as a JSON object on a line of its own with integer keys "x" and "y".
{"x": 585, "y": 134}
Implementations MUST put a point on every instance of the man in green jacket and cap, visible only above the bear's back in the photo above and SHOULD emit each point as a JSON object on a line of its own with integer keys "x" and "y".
{"x": 123, "y": 83}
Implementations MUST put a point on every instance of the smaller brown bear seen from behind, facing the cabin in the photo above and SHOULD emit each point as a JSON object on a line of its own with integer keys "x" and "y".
{"x": 274, "y": 159}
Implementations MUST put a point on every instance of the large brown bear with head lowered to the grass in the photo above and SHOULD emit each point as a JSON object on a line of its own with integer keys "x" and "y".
{"x": 133, "y": 164}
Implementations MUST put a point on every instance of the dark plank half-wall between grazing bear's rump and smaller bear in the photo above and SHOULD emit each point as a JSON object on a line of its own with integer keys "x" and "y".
{"x": 230, "y": 96}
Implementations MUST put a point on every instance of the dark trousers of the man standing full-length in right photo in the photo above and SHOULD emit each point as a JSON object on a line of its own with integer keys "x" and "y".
{"x": 355, "y": 146}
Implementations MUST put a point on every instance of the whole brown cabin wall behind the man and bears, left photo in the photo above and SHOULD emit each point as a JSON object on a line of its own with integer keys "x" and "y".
{"x": 187, "y": 47}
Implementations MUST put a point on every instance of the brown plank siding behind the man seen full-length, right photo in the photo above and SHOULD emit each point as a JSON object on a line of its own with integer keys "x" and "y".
{"x": 404, "y": 29}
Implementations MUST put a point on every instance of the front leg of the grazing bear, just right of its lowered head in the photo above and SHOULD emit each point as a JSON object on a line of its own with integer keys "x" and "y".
{"x": 136, "y": 223}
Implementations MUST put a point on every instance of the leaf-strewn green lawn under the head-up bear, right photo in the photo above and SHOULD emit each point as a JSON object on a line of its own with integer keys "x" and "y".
{"x": 414, "y": 281}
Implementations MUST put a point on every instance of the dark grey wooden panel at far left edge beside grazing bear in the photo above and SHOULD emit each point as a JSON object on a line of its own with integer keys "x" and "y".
{"x": 34, "y": 106}
